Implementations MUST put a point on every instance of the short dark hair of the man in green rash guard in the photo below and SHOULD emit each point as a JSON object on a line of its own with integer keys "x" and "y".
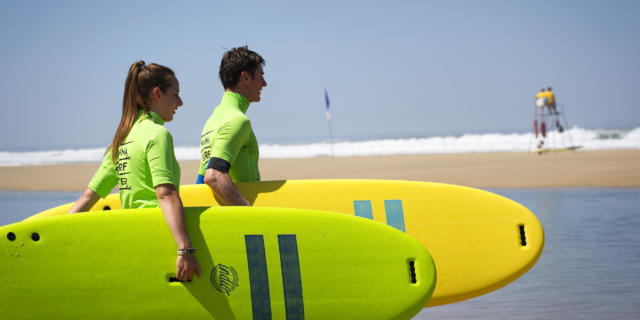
{"x": 234, "y": 62}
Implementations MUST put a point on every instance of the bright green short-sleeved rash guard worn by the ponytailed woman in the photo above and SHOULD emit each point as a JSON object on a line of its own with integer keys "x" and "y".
{"x": 145, "y": 160}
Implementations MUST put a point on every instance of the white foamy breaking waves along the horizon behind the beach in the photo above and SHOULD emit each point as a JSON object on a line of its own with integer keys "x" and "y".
{"x": 465, "y": 143}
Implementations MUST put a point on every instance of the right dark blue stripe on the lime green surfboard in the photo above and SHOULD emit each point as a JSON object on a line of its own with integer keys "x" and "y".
{"x": 291, "y": 281}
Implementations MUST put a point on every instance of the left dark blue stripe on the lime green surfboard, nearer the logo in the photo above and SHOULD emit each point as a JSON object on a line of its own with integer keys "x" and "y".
{"x": 258, "y": 277}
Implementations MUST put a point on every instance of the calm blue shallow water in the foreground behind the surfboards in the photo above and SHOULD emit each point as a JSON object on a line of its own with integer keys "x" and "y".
{"x": 589, "y": 268}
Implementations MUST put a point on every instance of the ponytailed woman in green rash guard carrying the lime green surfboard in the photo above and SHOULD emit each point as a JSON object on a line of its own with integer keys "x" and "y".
{"x": 141, "y": 159}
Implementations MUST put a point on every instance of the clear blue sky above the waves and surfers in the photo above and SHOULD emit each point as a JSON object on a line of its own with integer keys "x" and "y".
{"x": 392, "y": 68}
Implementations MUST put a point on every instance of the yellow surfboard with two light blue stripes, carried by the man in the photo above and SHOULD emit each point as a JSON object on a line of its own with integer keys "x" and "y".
{"x": 480, "y": 241}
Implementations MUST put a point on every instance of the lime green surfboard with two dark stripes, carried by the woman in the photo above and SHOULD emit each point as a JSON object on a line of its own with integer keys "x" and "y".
{"x": 257, "y": 263}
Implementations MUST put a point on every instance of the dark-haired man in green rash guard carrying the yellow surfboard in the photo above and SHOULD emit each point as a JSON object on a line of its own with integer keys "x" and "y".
{"x": 228, "y": 146}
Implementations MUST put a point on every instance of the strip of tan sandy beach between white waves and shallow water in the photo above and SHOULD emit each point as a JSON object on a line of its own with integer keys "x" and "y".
{"x": 615, "y": 168}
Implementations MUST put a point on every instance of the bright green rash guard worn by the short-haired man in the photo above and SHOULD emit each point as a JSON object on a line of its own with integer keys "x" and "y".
{"x": 227, "y": 135}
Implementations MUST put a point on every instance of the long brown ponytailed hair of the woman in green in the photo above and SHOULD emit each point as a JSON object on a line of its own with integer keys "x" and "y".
{"x": 140, "y": 82}
